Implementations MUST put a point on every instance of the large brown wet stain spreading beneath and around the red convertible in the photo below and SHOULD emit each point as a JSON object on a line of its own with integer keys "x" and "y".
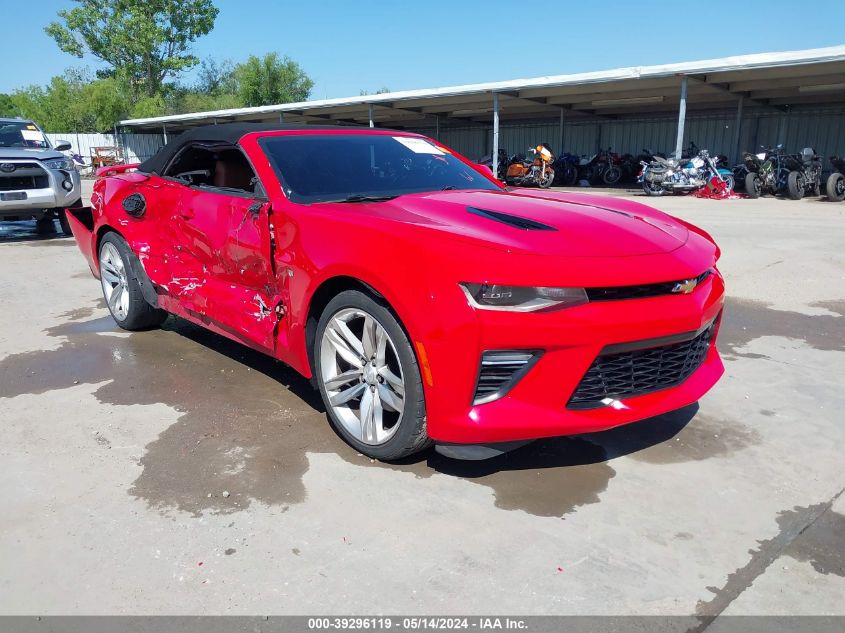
{"x": 248, "y": 423}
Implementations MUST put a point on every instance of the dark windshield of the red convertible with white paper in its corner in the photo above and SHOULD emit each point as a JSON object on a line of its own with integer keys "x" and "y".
{"x": 365, "y": 167}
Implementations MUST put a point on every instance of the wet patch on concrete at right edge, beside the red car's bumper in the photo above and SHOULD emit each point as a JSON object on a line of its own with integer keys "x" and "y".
{"x": 745, "y": 320}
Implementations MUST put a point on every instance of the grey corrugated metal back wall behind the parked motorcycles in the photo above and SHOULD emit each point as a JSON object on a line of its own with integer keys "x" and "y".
{"x": 820, "y": 128}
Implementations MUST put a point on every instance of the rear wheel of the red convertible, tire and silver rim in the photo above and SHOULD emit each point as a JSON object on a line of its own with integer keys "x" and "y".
{"x": 121, "y": 289}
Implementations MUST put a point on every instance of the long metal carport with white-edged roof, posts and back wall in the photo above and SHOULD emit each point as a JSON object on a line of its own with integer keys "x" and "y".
{"x": 734, "y": 90}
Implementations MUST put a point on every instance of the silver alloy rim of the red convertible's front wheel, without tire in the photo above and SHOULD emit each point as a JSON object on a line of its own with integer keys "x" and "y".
{"x": 362, "y": 376}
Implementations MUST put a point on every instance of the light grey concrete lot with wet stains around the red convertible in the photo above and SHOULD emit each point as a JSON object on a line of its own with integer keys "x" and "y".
{"x": 174, "y": 472}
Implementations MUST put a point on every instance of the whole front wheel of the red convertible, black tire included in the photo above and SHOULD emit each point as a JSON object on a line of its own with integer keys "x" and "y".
{"x": 368, "y": 377}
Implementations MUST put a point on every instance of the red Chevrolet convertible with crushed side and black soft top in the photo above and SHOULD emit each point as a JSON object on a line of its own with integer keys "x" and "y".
{"x": 428, "y": 303}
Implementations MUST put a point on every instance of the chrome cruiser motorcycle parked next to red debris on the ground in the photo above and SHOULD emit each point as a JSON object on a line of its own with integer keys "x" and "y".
{"x": 667, "y": 175}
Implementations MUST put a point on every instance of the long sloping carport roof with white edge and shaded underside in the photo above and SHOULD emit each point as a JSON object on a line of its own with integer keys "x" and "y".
{"x": 765, "y": 80}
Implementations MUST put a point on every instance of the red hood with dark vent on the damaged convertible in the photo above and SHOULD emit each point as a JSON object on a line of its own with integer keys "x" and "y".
{"x": 574, "y": 225}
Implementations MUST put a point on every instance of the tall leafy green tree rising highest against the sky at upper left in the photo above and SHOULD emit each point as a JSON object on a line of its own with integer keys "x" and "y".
{"x": 147, "y": 40}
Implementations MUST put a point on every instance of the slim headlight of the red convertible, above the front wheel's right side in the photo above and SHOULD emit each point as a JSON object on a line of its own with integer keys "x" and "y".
{"x": 522, "y": 298}
